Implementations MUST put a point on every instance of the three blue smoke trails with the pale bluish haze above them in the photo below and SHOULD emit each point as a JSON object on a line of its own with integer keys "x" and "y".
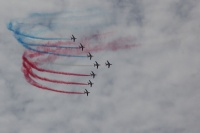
{"x": 38, "y": 24}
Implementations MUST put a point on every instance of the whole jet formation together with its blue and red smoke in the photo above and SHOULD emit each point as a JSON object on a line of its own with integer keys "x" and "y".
{"x": 43, "y": 53}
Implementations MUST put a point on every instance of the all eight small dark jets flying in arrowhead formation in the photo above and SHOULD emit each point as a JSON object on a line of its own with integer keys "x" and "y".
{"x": 96, "y": 64}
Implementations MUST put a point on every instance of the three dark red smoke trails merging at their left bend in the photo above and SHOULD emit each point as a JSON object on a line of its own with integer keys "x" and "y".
{"x": 27, "y": 70}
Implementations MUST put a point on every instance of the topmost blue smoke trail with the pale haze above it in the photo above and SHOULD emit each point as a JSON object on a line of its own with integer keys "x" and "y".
{"x": 81, "y": 20}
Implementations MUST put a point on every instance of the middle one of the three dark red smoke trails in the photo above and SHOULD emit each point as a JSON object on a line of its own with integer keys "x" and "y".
{"x": 29, "y": 70}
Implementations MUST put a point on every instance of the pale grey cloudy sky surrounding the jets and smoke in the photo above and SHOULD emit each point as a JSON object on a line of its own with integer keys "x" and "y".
{"x": 152, "y": 87}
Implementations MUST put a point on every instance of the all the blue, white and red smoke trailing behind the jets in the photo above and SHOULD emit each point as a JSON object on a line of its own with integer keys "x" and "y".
{"x": 42, "y": 36}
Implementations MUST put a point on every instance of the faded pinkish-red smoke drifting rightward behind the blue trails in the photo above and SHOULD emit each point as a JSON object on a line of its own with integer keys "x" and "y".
{"x": 114, "y": 45}
